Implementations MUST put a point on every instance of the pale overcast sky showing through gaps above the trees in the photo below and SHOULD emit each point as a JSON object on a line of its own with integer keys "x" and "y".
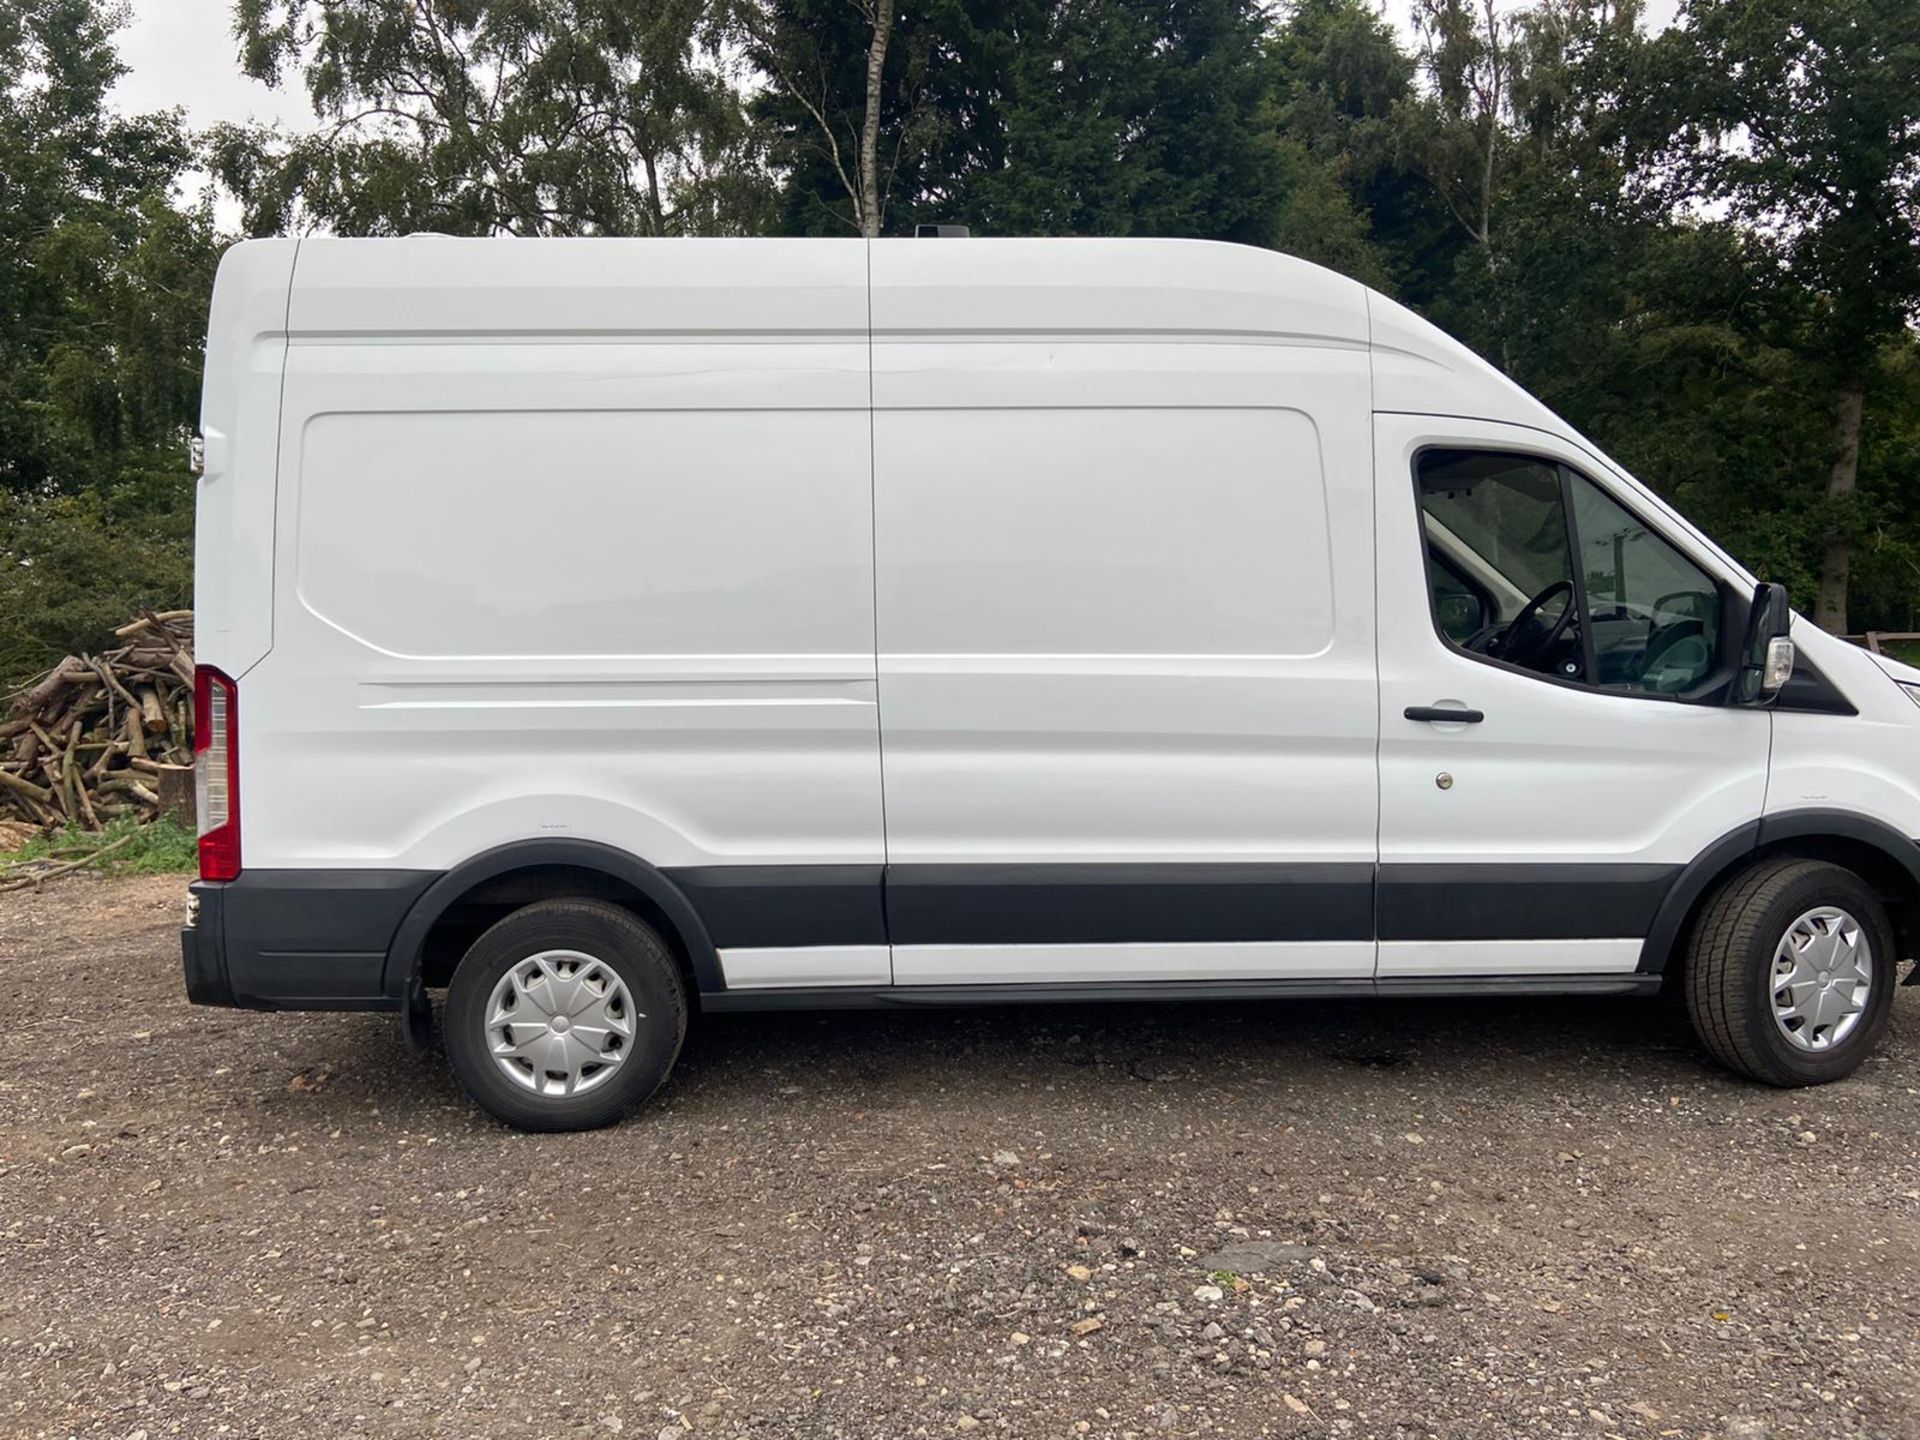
{"x": 181, "y": 53}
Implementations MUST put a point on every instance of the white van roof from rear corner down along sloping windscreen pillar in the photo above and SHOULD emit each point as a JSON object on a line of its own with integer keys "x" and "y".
{"x": 1068, "y": 289}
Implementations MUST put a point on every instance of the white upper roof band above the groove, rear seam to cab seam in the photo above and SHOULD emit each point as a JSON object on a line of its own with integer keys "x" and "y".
{"x": 441, "y": 285}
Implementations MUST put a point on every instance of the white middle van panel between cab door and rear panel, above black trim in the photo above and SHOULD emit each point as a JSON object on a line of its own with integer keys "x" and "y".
{"x": 1078, "y": 660}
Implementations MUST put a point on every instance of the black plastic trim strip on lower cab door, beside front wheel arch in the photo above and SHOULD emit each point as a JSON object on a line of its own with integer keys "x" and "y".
{"x": 1520, "y": 901}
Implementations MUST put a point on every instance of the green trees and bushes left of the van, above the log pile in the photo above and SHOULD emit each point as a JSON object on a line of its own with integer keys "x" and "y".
{"x": 105, "y": 289}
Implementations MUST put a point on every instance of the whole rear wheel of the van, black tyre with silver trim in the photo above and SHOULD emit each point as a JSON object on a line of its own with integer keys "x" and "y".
{"x": 565, "y": 1017}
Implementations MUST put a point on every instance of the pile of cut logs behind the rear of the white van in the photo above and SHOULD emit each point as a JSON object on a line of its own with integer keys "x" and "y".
{"x": 107, "y": 736}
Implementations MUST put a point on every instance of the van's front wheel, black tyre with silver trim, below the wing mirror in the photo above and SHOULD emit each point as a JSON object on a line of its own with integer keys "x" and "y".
{"x": 1790, "y": 972}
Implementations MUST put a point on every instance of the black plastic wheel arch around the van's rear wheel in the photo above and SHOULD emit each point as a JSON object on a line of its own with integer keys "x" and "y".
{"x": 471, "y": 898}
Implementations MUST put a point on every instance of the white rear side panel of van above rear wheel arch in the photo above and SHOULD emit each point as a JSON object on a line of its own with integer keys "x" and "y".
{"x": 483, "y": 638}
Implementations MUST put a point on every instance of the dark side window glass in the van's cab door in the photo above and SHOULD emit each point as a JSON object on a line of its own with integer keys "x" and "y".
{"x": 1537, "y": 567}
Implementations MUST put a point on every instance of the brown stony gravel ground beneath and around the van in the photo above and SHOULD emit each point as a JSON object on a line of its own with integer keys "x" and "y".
{"x": 1477, "y": 1220}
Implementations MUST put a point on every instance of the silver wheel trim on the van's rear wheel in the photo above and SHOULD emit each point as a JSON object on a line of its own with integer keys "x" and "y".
{"x": 560, "y": 1024}
